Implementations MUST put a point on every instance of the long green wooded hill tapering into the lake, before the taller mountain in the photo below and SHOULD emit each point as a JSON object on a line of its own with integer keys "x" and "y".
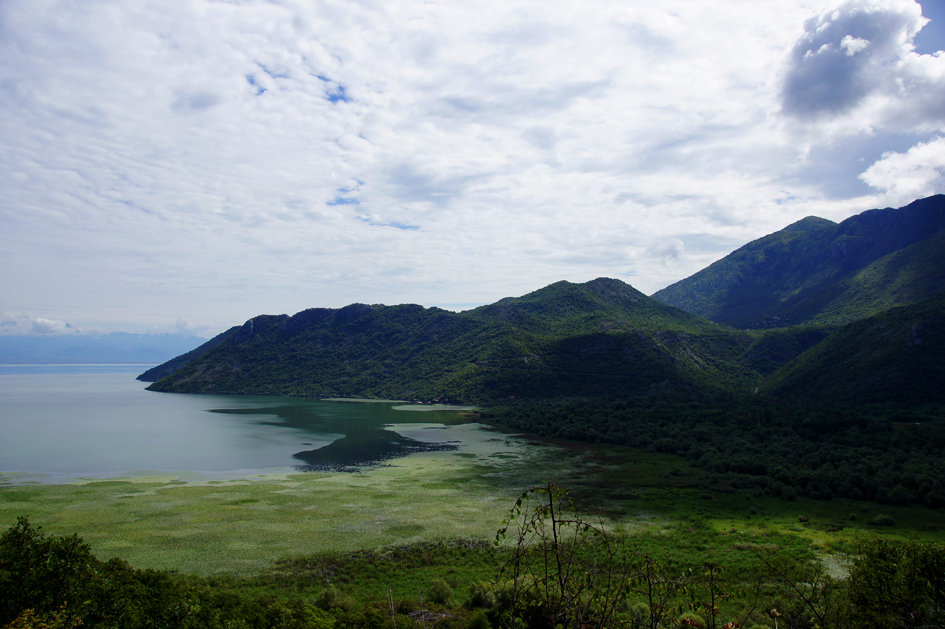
{"x": 602, "y": 337}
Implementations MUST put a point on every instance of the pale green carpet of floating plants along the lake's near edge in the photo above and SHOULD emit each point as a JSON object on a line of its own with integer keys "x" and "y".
{"x": 240, "y": 525}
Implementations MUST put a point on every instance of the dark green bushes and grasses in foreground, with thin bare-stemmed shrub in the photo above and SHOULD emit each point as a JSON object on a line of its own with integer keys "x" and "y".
{"x": 553, "y": 567}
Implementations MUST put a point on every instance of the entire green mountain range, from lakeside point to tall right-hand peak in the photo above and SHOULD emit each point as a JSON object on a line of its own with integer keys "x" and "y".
{"x": 847, "y": 313}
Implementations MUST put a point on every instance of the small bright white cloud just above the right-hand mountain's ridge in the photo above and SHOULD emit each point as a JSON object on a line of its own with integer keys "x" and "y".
{"x": 903, "y": 177}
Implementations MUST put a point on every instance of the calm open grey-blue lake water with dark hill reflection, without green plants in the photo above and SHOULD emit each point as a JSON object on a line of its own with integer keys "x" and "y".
{"x": 98, "y": 420}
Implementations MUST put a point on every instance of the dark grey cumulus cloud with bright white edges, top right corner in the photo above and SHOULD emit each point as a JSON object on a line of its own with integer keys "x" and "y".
{"x": 858, "y": 61}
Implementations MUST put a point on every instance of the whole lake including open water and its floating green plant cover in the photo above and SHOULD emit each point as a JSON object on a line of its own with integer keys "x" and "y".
{"x": 207, "y": 484}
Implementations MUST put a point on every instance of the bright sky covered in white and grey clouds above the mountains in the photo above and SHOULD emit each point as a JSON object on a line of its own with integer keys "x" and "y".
{"x": 184, "y": 165}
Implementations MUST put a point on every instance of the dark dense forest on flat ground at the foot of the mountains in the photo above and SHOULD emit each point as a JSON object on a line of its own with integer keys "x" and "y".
{"x": 771, "y": 449}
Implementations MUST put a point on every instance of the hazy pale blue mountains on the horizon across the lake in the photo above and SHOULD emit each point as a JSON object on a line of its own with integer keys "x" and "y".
{"x": 106, "y": 348}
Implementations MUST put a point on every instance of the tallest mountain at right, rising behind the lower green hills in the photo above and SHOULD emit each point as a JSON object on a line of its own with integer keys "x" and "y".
{"x": 816, "y": 271}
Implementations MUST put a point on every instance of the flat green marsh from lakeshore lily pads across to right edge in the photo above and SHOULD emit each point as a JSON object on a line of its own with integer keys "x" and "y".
{"x": 242, "y": 525}
